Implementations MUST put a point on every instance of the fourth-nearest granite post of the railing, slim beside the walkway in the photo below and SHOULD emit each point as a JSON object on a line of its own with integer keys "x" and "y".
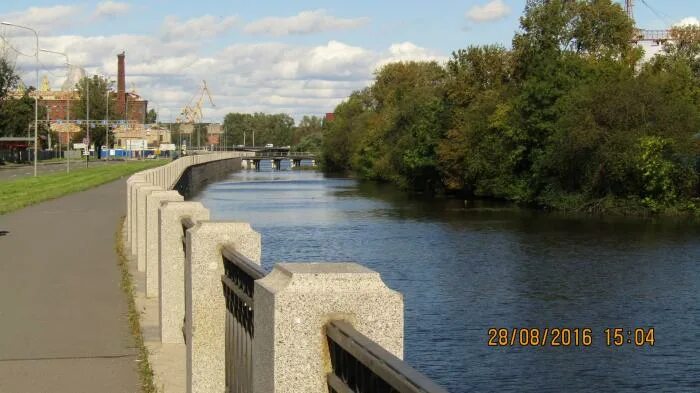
{"x": 153, "y": 203}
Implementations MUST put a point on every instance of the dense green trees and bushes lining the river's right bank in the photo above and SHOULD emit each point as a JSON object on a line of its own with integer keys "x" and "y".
{"x": 573, "y": 117}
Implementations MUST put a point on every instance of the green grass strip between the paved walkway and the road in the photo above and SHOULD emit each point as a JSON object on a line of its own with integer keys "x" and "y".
{"x": 16, "y": 194}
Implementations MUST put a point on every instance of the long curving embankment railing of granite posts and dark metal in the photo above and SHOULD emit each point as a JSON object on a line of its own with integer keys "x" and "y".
{"x": 299, "y": 327}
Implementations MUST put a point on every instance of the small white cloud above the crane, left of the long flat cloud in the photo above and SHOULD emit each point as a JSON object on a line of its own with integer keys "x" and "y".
{"x": 206, "y": 26}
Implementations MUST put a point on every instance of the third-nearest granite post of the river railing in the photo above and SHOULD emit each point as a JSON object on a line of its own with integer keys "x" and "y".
{"x": 172, "y": 266}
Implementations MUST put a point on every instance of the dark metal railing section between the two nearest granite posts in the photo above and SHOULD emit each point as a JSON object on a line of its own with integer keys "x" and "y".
{"x": 238, "y": 282}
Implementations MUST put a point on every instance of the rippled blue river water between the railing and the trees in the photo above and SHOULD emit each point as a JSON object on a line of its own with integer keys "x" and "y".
{"x": 463, "y": 270}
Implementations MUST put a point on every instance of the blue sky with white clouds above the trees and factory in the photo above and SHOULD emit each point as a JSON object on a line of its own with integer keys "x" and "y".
{"x": 298, "y": 57}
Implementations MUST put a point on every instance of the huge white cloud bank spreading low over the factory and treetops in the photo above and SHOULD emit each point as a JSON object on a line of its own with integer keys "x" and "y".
{"x": 247, "y": 77}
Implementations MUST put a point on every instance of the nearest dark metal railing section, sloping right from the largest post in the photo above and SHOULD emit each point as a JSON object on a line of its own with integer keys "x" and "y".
{"x": 359, "y": 365}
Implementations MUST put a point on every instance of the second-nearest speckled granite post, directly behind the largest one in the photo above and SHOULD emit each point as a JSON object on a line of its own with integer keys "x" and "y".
{"x": 205, "y": 305}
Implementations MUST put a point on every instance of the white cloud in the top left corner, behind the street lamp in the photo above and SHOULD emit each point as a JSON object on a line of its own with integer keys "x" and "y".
{"x": 42, "y": 19}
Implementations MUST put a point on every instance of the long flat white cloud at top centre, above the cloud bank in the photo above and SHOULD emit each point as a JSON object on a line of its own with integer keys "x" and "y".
{"x": 305, "y": 22}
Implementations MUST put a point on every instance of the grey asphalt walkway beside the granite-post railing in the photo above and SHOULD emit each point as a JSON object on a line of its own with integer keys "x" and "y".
{"x": 63, "y": 316}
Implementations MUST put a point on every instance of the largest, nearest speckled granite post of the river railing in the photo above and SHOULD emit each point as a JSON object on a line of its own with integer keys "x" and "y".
{"x": 292, "y": 306}
